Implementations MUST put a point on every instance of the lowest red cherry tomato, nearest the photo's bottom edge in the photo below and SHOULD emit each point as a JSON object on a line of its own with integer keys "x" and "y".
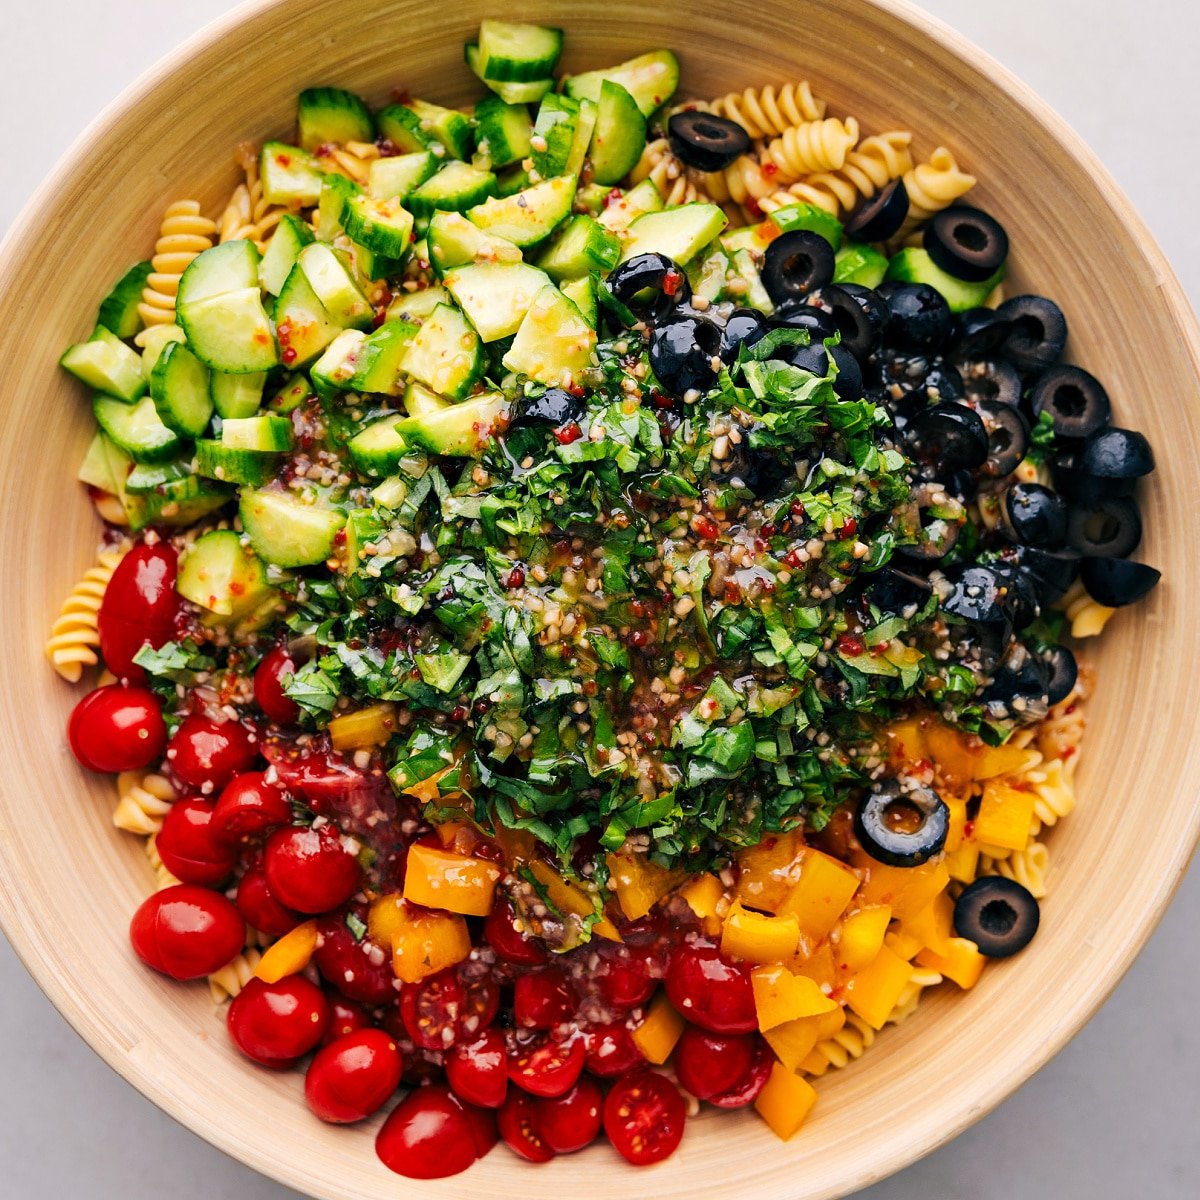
{"x": 429, "y": 1136}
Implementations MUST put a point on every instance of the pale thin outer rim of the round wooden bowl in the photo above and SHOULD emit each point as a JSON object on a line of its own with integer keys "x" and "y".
{"x": 1173, "y": 298}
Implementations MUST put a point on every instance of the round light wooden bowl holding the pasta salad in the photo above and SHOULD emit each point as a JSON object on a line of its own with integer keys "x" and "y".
{"x": 69, "y": 881}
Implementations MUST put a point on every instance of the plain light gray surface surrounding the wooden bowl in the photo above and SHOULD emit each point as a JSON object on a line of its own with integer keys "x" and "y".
{"x": 1115, "y": 1115}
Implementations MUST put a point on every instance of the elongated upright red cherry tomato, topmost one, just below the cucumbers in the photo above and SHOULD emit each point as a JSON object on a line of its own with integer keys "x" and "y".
{"x": 141, "y": 607}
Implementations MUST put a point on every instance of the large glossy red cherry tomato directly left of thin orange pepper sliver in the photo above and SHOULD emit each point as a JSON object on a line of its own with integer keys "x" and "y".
{"x": 187, "y": 932}
